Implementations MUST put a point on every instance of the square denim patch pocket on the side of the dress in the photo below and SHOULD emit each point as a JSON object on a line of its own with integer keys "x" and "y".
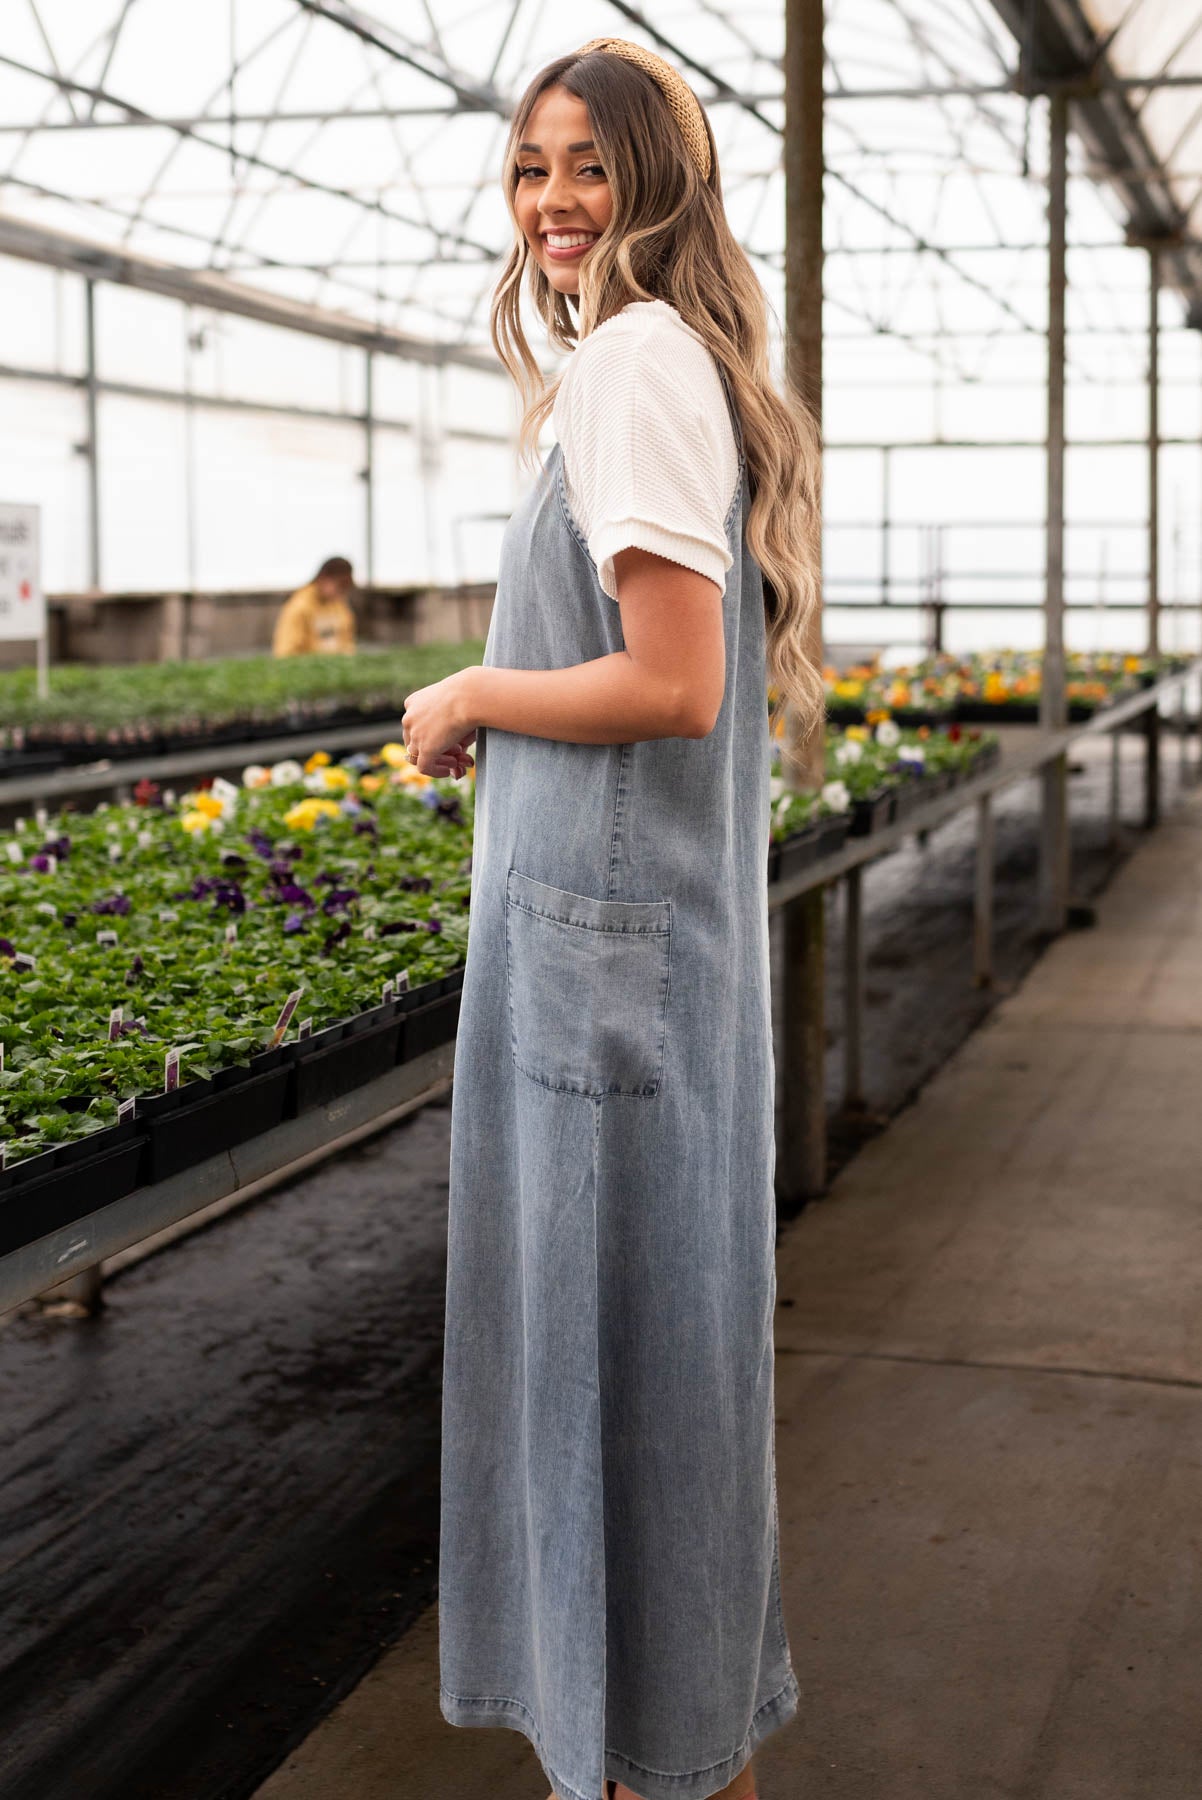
{"x": 588, "y": 989}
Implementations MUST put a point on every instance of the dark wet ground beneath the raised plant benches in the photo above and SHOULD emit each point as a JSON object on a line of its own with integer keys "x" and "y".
{"x": 219, "y": 1500}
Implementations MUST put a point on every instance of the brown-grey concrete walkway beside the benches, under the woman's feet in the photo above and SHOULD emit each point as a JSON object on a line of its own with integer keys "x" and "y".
{"x": 991, "y": 1423}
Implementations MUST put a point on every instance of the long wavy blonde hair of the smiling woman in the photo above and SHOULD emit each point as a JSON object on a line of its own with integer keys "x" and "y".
{"x": 670, "y": 240}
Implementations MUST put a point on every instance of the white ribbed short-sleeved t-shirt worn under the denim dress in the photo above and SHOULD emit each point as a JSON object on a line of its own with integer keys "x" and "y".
{"x": 650, "y": 458}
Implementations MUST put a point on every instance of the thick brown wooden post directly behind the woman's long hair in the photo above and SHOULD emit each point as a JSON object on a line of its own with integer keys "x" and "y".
{"x": 802, "y": 1156}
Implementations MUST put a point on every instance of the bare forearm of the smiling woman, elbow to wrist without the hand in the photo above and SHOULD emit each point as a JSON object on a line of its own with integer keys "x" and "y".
{"x": 607, "y": 701}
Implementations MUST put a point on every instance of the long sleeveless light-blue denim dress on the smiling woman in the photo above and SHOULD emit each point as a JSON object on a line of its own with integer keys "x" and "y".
{"x": 609, "y": 1567}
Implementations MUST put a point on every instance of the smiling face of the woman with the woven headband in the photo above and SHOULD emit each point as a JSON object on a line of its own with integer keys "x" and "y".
{"x": 562, "y": 195}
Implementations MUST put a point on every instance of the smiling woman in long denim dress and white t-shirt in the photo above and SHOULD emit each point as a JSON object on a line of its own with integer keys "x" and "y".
{"x": 609, "y": 1556}
